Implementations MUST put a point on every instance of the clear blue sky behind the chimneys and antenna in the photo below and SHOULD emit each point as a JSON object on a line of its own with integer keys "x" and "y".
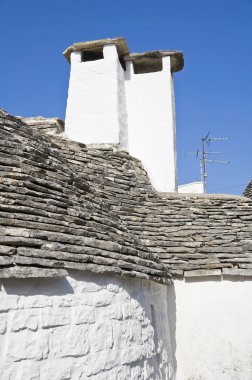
{"x": 213, "y": 92}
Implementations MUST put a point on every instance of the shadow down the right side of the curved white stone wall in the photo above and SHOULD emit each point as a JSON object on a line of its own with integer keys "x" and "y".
{"x": 158, "y": 303}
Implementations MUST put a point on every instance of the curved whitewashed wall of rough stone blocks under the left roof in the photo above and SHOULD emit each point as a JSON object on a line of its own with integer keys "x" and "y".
{"x": 84, "y": 327}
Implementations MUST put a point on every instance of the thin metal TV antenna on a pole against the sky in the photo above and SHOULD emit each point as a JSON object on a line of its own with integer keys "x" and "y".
{"x": 202, "y": 156}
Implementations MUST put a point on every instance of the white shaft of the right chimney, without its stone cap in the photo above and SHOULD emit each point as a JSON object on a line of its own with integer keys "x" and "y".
{"x": 151, "y": 123}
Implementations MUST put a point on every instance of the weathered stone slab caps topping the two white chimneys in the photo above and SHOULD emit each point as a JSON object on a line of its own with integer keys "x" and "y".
{"x": 151, "y": 59}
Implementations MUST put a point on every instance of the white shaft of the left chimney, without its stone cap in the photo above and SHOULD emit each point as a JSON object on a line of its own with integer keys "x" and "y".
{"x": 95, "y": 107}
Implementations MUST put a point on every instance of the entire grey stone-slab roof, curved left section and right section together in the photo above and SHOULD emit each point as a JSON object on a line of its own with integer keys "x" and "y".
{"x": 67, "y": 205}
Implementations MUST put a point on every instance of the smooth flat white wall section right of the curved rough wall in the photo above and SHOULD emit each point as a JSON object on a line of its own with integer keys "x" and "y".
{"x": 214, "y": 330}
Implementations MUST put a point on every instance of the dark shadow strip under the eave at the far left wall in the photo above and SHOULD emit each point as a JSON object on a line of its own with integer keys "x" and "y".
{"x": 37, "y": 286}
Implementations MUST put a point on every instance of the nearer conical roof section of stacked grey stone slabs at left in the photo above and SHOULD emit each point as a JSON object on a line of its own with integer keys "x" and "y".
{"x": 51, "y": 220}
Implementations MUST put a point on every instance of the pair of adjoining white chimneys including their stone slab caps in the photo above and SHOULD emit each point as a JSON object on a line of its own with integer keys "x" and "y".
{"x": 120, "y": 98}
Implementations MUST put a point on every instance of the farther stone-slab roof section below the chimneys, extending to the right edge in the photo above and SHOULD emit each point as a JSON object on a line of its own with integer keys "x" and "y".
{"x": 193, "y": 234}
